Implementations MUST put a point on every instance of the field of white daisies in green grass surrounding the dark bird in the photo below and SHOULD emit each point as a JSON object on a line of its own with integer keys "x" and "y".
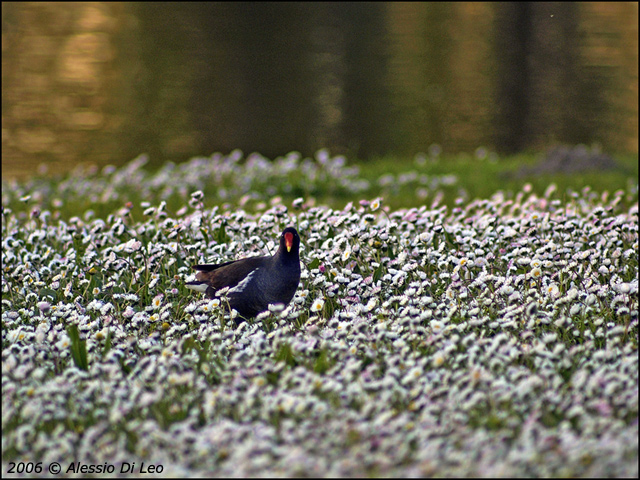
{"x": 495, "y": 338}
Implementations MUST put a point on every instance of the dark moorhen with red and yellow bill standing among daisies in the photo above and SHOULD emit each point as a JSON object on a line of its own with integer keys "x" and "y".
{"x": 254, "y": 282}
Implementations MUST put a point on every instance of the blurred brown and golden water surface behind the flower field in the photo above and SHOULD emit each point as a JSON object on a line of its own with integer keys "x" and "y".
{"x": 102, "y": 82}
